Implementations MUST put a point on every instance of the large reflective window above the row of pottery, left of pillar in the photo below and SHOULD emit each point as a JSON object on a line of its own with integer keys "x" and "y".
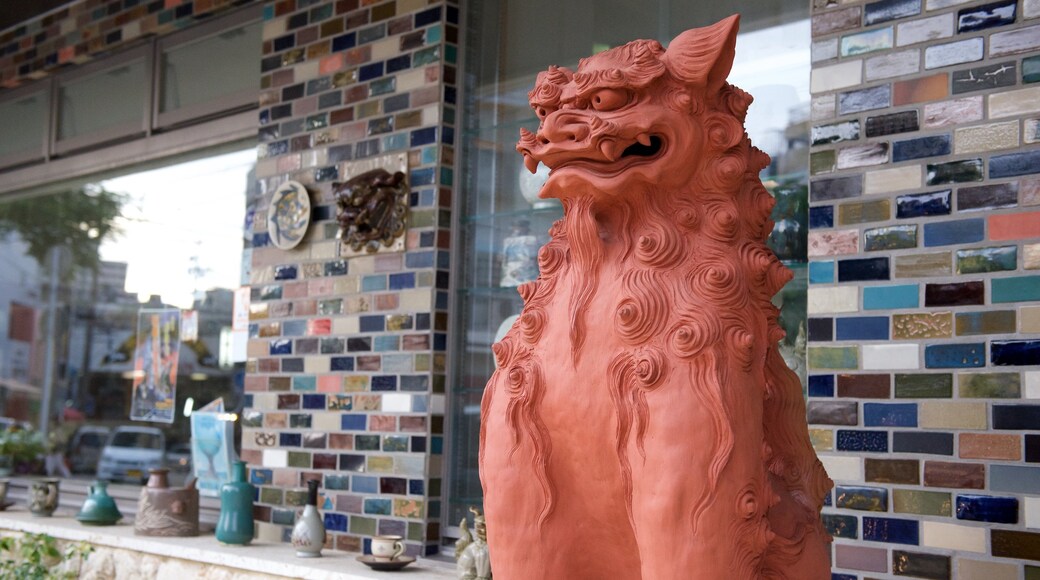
{"x": 139, "y": 274}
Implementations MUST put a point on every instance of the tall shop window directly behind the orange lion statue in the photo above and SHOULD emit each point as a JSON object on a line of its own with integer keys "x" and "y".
{"x": 503, "y": 221}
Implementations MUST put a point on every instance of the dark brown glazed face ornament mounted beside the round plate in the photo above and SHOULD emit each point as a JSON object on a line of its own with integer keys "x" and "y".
{"x": 372, "y": 209}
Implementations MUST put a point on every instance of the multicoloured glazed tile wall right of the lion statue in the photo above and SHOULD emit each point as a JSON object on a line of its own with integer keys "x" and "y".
{"x": 925, "y": 285}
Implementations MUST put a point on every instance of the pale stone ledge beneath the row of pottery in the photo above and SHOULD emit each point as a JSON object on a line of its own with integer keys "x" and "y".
{"x": 276, "y": 561}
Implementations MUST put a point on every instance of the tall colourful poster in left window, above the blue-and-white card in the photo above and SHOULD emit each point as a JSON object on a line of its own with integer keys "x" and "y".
{"x": 155, "y": 365}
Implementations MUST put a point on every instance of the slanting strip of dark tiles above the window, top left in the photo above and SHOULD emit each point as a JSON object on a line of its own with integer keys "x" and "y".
{"x": 81, "y": 31}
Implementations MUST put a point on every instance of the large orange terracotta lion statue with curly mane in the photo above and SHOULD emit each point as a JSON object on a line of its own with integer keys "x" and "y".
{"x": 642, "y": 424}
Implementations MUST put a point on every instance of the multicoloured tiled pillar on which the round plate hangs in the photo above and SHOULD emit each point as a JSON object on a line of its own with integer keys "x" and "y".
{"x": 347, "y": 355}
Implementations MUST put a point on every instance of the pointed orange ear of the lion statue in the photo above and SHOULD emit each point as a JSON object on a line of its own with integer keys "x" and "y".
{"x": 704, "y": 57}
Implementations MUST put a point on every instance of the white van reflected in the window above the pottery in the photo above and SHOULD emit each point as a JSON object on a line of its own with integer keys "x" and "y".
{"x": 131, "y": 453}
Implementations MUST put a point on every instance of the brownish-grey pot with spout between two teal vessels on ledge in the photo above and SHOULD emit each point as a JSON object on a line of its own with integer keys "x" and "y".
{"x": 167, "y": 512}
